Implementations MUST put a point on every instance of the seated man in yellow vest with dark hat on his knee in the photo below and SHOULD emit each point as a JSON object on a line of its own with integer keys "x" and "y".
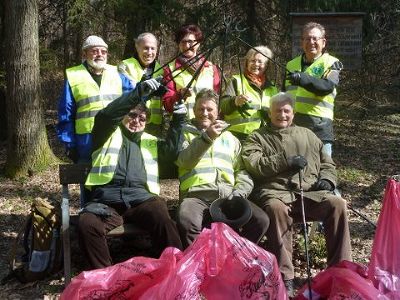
{"x": 210, "y": 167}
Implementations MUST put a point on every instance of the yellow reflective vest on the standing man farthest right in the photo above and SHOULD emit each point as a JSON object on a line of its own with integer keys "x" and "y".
{"x": 307, "y": 102}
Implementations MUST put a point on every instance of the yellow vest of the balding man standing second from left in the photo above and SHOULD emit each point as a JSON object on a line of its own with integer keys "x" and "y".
{"x": 135, "y": 73}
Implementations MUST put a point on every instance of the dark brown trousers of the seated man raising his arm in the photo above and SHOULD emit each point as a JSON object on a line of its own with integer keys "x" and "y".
{"x": 151, "y": 215}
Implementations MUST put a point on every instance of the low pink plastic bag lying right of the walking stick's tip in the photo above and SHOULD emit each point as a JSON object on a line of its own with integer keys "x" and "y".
{"x": 346, "y": 280}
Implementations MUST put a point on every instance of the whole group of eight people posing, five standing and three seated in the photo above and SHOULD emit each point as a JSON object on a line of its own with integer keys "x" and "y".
{"x": 252, "y": 143}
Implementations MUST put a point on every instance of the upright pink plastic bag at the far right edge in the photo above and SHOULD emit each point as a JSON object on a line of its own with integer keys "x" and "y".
{"x": 384, "y": 267}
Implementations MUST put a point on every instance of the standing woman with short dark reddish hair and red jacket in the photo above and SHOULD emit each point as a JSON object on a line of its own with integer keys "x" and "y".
{"x": 184, "y": 67}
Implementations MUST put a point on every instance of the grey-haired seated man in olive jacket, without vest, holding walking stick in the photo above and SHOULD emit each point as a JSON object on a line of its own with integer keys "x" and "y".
{"x": 274, "y": 156}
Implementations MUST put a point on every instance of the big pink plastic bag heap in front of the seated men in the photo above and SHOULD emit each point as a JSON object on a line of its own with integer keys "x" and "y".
{"x": 218, "y": 265}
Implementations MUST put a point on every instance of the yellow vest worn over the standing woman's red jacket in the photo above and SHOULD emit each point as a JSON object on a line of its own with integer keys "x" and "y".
{"x": 205, "y": 80}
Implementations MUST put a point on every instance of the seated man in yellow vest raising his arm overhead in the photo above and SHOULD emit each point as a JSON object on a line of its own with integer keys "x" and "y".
{"x": 124, "y": 176}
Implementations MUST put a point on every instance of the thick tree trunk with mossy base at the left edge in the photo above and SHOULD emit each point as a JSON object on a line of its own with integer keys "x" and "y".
{"x": 28, "y": 149}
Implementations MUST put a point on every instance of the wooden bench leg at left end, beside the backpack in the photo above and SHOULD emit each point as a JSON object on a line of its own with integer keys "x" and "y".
{"x": 65, "y": 234}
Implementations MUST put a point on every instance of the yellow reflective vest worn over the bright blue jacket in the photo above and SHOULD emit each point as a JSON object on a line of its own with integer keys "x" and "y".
{"x": 89, "y": 97}
